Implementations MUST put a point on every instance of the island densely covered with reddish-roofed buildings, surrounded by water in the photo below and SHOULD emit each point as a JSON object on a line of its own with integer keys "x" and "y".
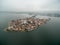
{"x": 26, "y": 24}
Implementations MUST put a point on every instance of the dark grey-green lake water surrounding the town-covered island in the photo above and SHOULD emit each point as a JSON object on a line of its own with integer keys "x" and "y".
{"x": 47, "y": 34}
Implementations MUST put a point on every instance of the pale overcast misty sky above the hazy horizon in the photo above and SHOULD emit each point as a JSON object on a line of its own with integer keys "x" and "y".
{"x": 29, "y": 5}
